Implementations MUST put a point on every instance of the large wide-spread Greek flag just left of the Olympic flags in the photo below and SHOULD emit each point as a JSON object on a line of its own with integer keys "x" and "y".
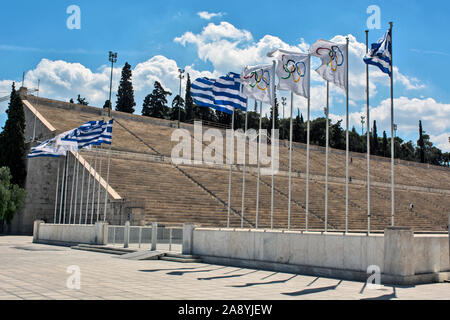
{"x": 223, "y": 94}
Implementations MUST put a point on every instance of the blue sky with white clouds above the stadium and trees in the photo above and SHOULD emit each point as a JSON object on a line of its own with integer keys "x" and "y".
{"x": 158, "y": 37}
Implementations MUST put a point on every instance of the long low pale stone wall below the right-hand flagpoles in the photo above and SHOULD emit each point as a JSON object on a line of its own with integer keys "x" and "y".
{"x": 400, "y": 256}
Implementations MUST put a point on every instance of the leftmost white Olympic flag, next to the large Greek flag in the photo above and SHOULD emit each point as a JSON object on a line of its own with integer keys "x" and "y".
{"x": 257, "y": 82}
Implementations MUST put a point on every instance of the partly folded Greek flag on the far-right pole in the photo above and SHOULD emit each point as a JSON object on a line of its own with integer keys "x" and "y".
{"x": 380, "y": 54}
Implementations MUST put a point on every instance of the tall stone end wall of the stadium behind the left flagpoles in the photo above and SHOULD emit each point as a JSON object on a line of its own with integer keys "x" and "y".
{"x": 41, "y": 183}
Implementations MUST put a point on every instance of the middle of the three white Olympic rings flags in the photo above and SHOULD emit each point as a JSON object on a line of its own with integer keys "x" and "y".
{"x": 292, "y": 71}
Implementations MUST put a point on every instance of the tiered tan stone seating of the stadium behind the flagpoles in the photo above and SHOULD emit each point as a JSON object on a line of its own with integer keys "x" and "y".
{"x": 430, "y": 208}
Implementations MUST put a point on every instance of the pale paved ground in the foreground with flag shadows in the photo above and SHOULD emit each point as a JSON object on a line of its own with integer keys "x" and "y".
{"x": 32, "y": 271}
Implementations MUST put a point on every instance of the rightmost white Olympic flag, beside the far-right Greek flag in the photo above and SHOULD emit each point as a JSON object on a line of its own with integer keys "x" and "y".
{"x": 333, "y": 55}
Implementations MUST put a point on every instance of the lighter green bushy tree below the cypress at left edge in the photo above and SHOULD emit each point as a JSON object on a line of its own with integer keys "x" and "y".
{"x": 11, "y": 196}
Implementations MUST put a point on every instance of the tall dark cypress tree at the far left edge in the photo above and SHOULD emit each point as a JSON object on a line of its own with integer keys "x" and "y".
{"x": 12, "y": 140}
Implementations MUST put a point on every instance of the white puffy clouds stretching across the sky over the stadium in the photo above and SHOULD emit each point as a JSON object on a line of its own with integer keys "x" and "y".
{"x": 228, "y": 48}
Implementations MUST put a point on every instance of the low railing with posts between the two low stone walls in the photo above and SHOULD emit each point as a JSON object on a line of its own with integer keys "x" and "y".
{"x": 142, "y": 237}
